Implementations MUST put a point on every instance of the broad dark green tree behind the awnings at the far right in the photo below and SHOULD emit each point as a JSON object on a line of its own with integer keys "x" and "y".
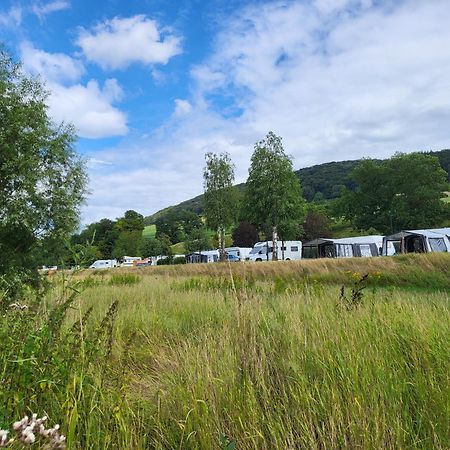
{"x": 403, "y": 192}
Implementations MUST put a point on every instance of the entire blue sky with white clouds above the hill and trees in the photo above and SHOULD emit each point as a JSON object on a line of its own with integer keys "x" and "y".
{"x": 151, "y": 86}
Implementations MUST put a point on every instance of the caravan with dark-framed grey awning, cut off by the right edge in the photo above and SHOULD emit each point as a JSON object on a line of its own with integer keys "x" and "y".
{"x": 417, "y": 241}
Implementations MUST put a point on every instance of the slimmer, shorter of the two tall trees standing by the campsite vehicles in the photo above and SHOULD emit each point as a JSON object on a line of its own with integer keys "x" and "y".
{"x": 219, "y": 199}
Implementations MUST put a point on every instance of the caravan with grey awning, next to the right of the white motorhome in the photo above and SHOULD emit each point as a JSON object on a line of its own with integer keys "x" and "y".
{"x": 359, "y": 246}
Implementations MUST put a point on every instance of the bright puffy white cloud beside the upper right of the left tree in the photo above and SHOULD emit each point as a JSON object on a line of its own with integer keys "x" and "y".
{"x": 89, "y": 108}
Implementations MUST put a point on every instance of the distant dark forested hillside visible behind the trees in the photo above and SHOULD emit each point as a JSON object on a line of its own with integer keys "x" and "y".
{"x": 322, "y": 181}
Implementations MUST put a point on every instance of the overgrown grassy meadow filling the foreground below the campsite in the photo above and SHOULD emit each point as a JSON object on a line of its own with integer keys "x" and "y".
{"x": 286, "y": 355}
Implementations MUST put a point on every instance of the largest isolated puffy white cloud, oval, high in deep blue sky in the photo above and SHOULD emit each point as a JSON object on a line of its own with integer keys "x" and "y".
{"x": 117, "y": 43}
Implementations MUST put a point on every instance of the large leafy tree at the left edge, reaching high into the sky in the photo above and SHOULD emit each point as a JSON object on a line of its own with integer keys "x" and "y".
{"x": 43, "y": 180}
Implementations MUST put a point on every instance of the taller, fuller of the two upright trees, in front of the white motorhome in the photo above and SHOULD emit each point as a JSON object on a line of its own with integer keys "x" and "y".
{"x": 273, "y": 195}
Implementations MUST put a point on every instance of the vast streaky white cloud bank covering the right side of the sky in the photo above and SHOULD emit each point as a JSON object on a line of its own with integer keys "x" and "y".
{"x": 335, "y": 83}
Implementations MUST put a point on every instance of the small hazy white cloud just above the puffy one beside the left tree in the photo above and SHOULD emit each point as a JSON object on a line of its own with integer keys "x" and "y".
{"x": 51, "y": 66}
